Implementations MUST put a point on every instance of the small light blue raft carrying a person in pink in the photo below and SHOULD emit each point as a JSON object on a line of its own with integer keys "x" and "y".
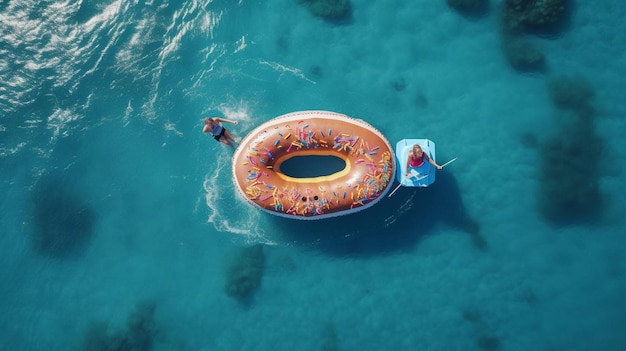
{"x": 421, "y": 176}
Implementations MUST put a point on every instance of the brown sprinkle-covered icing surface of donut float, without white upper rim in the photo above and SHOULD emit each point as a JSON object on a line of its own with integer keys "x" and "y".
{"x": 370, "y": 174}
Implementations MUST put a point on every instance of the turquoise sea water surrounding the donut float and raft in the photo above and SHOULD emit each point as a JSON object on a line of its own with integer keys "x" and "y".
{"x": 120, "y": 222}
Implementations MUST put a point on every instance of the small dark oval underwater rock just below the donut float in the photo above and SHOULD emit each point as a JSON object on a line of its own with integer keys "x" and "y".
{"x": 244, "y": 274}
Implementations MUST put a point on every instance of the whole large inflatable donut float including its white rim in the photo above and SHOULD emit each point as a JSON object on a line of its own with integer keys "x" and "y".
{"x": 363, "y": 178}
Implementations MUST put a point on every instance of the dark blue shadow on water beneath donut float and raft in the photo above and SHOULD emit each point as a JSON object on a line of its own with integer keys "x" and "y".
{"x": 394, "y": 224}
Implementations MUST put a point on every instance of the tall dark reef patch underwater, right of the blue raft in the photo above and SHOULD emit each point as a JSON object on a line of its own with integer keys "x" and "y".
{"x": 569, "y": 191}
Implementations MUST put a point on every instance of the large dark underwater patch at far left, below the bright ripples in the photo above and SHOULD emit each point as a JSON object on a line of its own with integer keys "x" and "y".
{"x": 63, "y": 222}
